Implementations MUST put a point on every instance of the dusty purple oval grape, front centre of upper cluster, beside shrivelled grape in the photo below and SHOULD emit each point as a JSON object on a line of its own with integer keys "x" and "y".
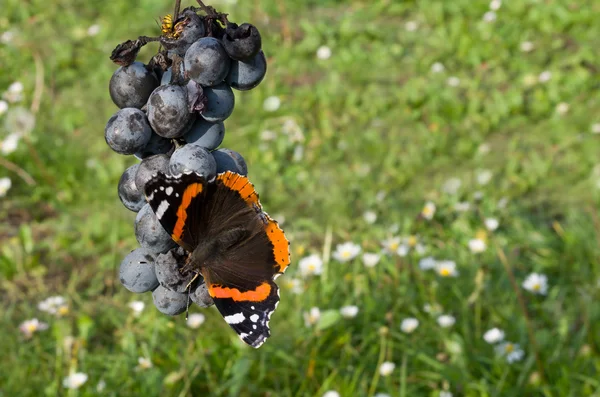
{"x": 168, "y": 111}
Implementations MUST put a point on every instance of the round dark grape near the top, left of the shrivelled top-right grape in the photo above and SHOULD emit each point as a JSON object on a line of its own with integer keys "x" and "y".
{"x": 206, "y": 62}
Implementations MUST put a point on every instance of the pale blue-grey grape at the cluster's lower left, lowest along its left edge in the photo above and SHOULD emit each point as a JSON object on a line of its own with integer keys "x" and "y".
{"x": 137, "y": 271}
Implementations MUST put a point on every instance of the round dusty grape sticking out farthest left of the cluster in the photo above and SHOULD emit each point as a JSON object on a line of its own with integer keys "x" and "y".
{"x": 127, "y": 131}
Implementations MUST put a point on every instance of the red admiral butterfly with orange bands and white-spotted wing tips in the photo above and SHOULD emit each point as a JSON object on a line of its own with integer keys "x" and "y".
{"x": 238, "y": 248}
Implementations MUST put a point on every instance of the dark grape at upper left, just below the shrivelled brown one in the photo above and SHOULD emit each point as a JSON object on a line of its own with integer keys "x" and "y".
{"x": 131, "y": 86}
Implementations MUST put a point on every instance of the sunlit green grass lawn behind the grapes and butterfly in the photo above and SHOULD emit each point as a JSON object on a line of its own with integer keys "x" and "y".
{"x": 374, "y": 119}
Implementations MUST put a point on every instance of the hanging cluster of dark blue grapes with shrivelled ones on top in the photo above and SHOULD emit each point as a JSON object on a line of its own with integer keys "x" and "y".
{"x": 171, "y": 114}
